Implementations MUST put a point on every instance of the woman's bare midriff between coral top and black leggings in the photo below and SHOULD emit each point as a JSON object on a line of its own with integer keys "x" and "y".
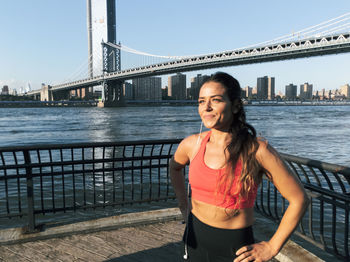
{"x": 222, "y": 218}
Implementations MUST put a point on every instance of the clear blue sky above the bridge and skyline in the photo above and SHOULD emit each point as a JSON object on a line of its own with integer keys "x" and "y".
{"x": 46, "y": 41}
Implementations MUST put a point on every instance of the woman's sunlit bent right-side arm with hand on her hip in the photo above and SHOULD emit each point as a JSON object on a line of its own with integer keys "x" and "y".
{"x": 290, "y": 188}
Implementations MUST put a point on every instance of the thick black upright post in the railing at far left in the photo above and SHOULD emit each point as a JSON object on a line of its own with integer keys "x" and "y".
{"x": 30, "y": 193}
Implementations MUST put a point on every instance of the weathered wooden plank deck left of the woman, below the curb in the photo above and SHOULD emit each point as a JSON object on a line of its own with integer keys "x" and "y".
{"x": 156, "y": 242}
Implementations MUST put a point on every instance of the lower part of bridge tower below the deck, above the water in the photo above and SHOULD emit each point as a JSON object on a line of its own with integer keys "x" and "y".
{"x": 112, "y": 94}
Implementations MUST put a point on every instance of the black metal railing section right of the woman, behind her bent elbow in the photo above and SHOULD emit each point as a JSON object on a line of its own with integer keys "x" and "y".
{"x": 326, "y": 222}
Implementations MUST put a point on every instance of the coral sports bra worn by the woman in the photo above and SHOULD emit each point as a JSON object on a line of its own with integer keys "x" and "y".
{"x": 204, "y": 179}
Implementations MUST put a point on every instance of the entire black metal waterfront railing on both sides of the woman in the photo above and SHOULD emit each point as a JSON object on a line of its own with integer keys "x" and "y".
{"x": 39, "y": 180}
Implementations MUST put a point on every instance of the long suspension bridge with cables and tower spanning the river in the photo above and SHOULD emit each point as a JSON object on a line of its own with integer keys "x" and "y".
{"x": 329, "y": 37}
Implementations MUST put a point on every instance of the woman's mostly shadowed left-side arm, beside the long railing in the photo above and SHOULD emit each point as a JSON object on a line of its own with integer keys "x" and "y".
{"x": 177, "y": 164}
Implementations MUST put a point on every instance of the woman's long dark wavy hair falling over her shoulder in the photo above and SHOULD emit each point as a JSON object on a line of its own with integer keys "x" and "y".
{"x": 243, "y": 146}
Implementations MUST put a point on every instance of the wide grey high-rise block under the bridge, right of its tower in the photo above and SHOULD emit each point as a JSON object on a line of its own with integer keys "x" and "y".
{"x": 147, "y": 88}
